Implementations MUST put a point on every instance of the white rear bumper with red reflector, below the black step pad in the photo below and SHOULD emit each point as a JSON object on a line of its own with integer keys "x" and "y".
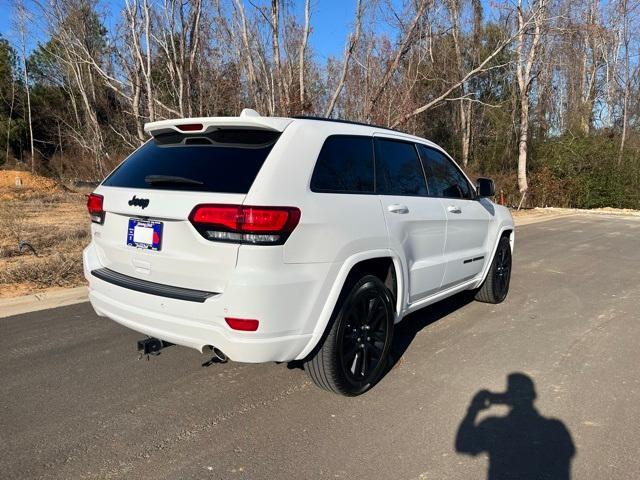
{"x": 282, "y": 301}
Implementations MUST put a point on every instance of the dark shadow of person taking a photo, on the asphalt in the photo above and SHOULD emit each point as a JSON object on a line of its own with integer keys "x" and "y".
{"x": 521, "y": 445}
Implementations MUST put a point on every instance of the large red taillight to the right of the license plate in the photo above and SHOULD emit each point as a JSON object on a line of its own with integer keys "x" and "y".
{"x": 245, "y": 224}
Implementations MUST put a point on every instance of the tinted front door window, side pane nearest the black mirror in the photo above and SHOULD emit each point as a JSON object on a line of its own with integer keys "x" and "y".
{"x": 443, "y": 177}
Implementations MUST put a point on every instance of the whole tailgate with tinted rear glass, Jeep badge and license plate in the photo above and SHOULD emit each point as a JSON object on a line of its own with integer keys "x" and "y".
{"x": 155, "y": 190}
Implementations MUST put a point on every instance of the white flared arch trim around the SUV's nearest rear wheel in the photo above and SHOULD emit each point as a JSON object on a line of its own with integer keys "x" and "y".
{"x": 380, "y": 263}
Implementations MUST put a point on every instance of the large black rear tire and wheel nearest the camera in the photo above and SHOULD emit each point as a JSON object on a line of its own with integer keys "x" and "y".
{"x": 353, "y": 355}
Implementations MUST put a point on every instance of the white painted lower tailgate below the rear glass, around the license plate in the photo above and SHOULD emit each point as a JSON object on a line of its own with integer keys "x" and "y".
{"x": 185, "y": 258}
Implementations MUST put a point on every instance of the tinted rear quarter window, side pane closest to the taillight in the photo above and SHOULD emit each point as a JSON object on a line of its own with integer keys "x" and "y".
{"x": 345, "y": 164}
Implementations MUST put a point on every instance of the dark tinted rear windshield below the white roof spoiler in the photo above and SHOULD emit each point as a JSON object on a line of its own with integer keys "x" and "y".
{"x": 225, "y": 161}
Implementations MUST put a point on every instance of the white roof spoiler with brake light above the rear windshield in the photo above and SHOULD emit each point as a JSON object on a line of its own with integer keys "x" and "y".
{"x": 248, "y": 119}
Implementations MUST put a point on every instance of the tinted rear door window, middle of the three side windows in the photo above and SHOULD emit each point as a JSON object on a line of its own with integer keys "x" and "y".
{"x": 398, "y": 169}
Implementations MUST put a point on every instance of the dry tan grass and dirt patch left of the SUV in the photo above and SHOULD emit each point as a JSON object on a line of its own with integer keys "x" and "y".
{"x": 54, "y": 222}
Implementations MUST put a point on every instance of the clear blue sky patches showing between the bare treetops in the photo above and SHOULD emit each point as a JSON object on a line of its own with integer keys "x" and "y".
{"x": 331, "y": 22}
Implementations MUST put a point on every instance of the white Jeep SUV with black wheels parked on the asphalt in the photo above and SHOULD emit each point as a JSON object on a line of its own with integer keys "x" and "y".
{"x": 280, "y": 239}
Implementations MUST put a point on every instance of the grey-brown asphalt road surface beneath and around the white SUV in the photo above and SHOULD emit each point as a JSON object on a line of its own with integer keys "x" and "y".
{"x": 76, "y": 403}
